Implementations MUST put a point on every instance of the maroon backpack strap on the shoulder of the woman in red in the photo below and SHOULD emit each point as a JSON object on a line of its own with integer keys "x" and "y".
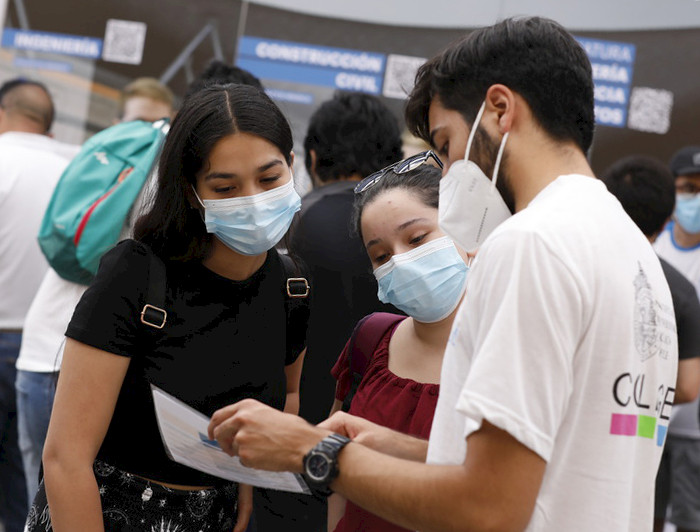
{"x": 368, "y": 332}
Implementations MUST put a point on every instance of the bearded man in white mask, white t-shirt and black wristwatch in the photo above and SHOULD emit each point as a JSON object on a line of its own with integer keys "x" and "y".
{"x": 558, "y": 377}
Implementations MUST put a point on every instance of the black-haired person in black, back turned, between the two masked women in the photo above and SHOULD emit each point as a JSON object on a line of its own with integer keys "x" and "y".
{"x": 349, "y": 137}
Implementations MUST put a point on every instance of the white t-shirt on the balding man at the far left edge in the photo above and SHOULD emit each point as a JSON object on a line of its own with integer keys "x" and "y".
{"x": 30, "y": 166}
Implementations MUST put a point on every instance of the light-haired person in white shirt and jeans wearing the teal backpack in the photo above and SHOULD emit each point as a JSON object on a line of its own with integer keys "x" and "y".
{"x": 40, "y": 354}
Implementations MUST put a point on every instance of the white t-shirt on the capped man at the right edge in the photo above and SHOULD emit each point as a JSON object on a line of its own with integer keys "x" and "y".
{"x": 684, "y": 422}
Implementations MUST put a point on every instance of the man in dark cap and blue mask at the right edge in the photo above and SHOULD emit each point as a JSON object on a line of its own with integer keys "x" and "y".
{"x": 679, "y": 244}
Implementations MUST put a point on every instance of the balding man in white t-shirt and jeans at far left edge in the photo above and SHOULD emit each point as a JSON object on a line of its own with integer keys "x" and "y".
{"x": 30, "y": 164}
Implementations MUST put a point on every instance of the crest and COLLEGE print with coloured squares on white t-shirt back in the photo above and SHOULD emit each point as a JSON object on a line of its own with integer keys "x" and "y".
{"x": 654, "y": 332}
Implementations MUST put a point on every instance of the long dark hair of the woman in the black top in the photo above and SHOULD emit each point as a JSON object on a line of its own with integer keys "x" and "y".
{"x": 173, "y": 228}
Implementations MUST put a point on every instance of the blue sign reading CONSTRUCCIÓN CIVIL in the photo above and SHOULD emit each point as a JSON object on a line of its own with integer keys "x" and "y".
{"x": 309, "y": 64}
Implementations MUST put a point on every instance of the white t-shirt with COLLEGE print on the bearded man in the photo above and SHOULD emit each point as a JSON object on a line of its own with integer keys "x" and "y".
{"x": 566, "y": 340}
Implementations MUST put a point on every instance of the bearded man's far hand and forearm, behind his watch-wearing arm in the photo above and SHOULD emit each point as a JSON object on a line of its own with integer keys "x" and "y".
{"x": 377, "y": 437}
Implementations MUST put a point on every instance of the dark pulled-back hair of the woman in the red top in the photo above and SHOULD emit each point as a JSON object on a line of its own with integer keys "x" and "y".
{"x": 423, "y": 182}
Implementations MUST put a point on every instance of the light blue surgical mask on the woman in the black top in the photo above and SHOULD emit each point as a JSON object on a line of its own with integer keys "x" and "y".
{"x": 251, "y": 225}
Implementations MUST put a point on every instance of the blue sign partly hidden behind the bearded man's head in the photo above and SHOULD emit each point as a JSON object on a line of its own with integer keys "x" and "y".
{"x": 613, "y": 67}
